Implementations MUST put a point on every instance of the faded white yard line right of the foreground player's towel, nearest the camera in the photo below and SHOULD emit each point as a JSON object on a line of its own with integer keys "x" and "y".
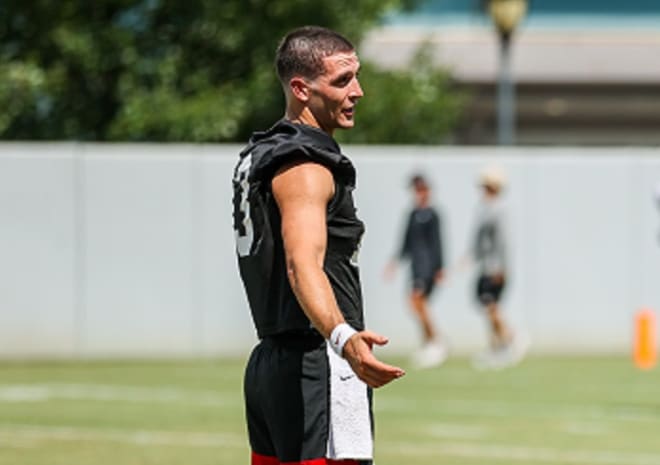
{"x": 519, "y": 454}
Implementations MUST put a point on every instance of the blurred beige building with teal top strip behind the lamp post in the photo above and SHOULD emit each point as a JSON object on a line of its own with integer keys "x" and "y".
{"x": 587, "y": 72}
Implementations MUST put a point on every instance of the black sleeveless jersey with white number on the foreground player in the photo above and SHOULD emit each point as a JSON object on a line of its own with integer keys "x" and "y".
{"x": 257, "y": 226}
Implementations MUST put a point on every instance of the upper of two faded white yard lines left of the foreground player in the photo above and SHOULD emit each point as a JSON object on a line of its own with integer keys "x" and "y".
{"x": 17, "y": 393}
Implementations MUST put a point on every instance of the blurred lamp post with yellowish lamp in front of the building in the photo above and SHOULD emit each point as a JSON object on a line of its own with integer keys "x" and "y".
{"x": 506, "y": 14}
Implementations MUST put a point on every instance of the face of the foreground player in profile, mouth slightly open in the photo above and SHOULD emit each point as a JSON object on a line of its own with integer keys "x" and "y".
{"x": 334, "y": 93}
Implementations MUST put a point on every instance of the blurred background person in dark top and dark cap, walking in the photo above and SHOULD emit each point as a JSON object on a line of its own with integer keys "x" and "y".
{"x": 422, "y": 246}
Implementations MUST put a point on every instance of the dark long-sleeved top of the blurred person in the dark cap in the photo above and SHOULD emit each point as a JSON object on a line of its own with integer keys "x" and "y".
{"x": 422, "y": 242}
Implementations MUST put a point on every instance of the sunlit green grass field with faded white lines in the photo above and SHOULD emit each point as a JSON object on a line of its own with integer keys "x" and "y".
{"x": 587, "y": 410}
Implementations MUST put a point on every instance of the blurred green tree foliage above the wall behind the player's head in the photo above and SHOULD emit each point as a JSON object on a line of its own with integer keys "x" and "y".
{"x": 164, "y": 70}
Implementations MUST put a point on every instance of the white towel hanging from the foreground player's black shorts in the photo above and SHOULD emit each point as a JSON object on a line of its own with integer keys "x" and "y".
{"x": 350, "y": 421}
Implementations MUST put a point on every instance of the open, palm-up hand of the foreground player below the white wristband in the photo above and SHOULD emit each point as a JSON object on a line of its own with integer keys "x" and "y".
{"x": 368, "y": 368}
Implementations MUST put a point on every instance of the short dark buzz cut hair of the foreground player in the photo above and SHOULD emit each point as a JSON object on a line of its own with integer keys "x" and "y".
{"x": 302, "y": 50}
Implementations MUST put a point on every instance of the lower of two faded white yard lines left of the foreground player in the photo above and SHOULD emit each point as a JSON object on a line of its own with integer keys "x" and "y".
{"x": 25, "y": 435}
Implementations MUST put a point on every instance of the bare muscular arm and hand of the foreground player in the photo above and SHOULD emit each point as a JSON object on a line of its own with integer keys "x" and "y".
{"x": 302, "y": 192}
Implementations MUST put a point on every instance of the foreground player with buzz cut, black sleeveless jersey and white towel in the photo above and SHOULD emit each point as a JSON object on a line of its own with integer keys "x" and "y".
{"x": 308, "y": 381}
